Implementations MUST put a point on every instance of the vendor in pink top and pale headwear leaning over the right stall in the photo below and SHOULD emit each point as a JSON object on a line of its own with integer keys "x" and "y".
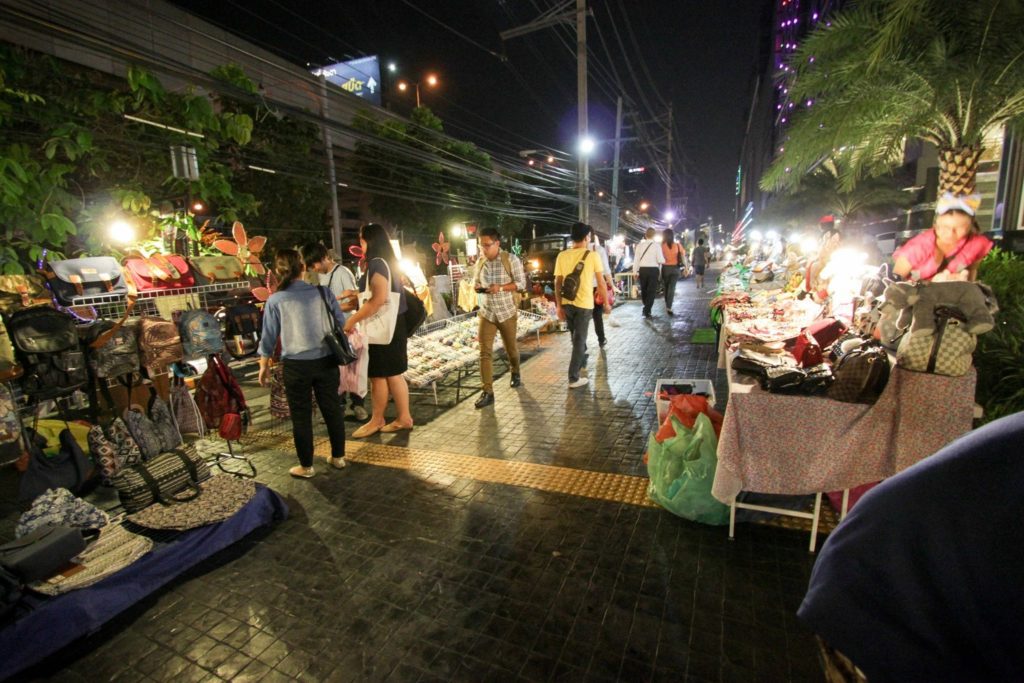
{"x": 952, "y": 250}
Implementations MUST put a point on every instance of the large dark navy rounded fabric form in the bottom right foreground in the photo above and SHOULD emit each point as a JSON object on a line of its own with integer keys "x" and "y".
{"x": 923, "y": 581}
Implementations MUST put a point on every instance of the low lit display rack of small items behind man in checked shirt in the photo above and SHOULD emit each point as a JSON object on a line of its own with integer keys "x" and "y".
{"x": 451, "y": 348}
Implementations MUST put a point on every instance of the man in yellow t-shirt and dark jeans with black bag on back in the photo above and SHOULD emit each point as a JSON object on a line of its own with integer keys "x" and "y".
{"x": 576, "y": 270}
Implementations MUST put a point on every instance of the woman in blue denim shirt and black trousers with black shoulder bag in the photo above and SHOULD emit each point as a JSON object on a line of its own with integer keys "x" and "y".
{"x": 296, "y": 315}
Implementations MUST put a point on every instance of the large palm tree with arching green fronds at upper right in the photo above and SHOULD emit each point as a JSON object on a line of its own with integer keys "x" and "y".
{"x": 888, "y": 72}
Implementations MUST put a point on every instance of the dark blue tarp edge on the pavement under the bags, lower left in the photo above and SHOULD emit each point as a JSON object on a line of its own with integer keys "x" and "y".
{"x": 55, "y": 623}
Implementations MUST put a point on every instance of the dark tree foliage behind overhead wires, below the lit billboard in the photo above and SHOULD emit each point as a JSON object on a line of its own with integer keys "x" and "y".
{"x": 423, "y": 181}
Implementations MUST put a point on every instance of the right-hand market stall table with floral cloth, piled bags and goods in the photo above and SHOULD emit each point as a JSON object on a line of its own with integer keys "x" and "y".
{"x": 793, "y": 425}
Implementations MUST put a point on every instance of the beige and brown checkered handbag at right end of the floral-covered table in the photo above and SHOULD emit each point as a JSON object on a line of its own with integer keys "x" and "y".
{"x": 947, "y": 352}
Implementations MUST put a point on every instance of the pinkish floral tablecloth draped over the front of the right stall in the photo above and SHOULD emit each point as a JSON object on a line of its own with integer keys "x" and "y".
{"x": 777, "y": 444}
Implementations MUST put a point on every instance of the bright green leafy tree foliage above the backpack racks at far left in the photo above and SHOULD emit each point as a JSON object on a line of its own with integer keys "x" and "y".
{"x": 73, "y": 160}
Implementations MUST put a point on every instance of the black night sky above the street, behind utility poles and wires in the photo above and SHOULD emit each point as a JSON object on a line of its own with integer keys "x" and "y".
{"x": 702, "y": 56}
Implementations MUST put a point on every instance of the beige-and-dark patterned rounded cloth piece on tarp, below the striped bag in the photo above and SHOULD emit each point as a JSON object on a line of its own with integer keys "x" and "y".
{"x": 223, "y": 496}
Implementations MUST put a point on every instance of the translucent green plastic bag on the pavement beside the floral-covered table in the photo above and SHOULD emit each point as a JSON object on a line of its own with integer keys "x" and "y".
{"x": 682, "y": 471}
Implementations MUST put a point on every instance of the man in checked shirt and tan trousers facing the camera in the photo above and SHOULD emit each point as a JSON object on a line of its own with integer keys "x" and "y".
{"x": 499, "y": 277}
